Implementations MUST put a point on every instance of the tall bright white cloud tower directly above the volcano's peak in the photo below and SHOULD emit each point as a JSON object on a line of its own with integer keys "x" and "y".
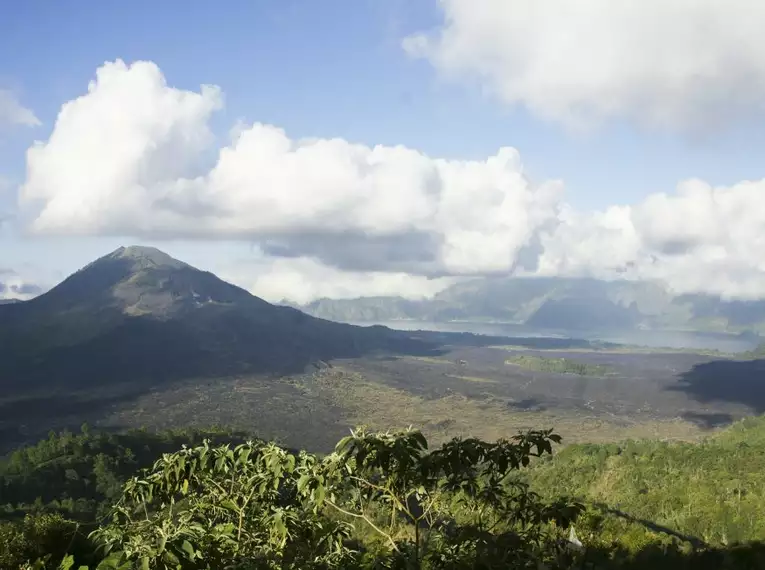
{"x": 110, "y": 149}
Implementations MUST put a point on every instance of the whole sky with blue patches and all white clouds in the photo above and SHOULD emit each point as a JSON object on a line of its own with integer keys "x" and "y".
{"x": 344, "y": 148}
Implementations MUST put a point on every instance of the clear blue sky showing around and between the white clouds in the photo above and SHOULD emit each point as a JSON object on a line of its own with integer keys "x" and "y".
{"x": 332, "y": 69}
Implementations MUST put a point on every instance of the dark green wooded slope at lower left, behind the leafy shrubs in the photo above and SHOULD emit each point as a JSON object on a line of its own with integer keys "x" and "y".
{"x": 54, "y": 493}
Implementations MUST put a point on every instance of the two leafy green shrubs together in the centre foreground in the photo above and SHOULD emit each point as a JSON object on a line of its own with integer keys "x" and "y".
{"x": 380, "y": 500}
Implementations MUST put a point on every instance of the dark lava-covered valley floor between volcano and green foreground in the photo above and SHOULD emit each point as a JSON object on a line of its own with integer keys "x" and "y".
{"x": 463, "y": 390}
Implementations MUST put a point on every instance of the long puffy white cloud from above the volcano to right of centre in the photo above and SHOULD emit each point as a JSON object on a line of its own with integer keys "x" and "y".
{"x": 120, "y": 161}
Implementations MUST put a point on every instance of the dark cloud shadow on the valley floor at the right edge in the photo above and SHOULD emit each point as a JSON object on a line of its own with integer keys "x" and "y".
{"x": 735, "y": 381}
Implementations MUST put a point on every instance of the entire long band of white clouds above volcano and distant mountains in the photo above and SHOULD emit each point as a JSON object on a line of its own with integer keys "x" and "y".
{"x": 127, "y": 159}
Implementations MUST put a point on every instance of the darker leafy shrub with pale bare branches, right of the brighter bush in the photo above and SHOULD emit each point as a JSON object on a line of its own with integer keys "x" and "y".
{"x": 458, "y": 503}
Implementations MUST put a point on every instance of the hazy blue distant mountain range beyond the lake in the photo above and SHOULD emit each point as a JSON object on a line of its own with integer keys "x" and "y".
{"x": 557, "y": 303}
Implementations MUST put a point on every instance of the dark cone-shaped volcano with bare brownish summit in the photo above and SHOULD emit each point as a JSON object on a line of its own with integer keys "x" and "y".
{"x": 139, "y": 315}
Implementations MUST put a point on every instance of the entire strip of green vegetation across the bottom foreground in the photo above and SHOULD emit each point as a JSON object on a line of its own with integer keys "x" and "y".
{"x": 216, "y": 498}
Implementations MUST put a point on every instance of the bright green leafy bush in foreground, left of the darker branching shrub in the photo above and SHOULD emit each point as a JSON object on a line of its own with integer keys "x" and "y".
{"x": 215, "y": 507}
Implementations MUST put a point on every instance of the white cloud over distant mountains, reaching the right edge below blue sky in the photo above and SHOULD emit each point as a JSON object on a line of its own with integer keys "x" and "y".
{"x": 699, "y": 239}
